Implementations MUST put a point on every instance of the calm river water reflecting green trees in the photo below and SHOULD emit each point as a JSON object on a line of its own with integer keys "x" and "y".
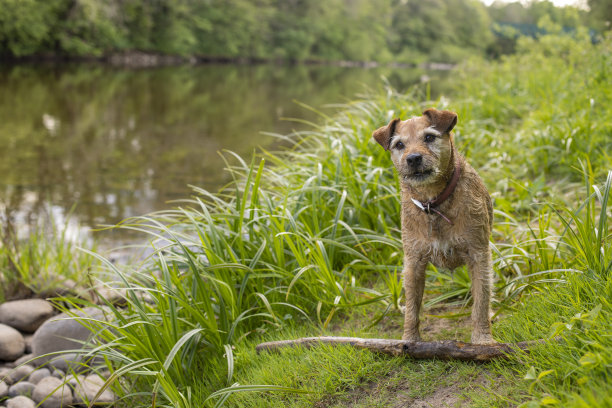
{"x": 109, "y": 143}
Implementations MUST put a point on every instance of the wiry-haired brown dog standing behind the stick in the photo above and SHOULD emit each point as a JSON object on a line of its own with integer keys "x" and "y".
{"x": 446, "y": 213}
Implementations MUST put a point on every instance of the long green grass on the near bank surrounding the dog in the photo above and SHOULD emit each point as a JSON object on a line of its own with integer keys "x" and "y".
{"x": 303, "y": 240}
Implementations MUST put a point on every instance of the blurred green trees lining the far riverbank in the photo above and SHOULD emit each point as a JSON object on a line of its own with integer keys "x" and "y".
{"x": 356, "y": 30}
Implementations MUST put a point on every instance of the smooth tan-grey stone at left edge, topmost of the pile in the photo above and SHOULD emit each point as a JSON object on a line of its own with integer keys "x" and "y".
{"x": 25, "y": 315}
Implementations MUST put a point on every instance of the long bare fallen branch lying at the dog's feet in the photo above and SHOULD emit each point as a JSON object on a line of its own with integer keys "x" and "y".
{"x": 443, "y": 350}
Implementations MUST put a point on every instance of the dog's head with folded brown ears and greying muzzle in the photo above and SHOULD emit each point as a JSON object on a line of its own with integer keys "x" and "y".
{"x": 421, "y": 148}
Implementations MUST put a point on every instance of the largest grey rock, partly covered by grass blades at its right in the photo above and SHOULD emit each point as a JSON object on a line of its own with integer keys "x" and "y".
{"x": 62, "y": 332}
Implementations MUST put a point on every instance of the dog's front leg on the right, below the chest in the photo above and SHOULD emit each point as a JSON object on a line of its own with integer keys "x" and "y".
{"x": 481, "y": 268}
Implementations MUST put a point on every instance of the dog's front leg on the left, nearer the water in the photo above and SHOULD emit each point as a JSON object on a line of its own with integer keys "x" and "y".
{"x": 414, "y": 284}
